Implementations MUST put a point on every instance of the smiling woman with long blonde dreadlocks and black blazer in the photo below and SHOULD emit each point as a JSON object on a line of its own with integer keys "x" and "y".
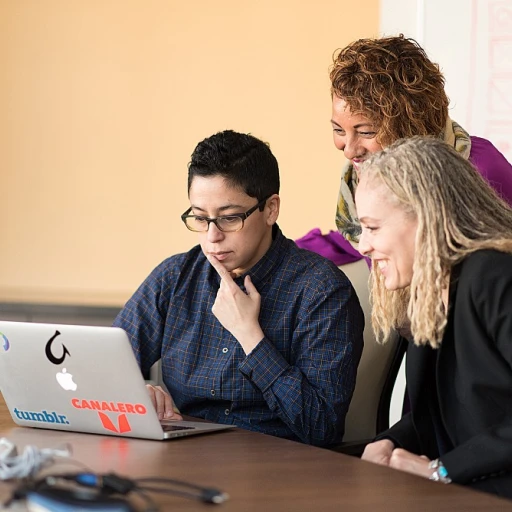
{"x": 440, "y": 240}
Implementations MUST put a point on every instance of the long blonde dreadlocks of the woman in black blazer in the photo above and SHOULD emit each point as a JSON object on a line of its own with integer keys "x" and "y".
{"x": 457, "y": 214}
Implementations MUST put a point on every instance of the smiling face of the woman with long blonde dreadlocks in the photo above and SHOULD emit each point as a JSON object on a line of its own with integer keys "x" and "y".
{"x": 388, "y": 233}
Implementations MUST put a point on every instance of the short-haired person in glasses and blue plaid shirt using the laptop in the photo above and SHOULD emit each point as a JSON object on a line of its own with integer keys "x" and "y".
{"x": 250, "y": 330}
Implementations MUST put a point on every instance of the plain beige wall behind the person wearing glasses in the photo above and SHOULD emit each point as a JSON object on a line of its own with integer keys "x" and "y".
{"x": 102, "y": 103}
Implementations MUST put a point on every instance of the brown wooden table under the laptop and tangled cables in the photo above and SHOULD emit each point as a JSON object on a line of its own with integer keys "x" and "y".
{"x": 259, "y": 472}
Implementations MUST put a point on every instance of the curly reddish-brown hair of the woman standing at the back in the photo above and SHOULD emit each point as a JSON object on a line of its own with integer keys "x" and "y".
{"x": 392, "y": 82}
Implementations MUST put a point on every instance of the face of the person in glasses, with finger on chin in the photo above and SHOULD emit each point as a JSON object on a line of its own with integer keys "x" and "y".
{"x": 240, "y": 250}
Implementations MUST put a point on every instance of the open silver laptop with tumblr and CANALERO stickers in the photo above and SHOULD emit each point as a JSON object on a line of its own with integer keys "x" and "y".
{"x": 83, "y": 379}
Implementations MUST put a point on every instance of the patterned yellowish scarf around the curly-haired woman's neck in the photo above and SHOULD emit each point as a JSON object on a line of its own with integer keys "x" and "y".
{"x": 346, "y": 215}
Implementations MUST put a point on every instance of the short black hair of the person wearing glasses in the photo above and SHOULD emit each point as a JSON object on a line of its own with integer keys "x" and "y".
{"x": 243, "y": 160}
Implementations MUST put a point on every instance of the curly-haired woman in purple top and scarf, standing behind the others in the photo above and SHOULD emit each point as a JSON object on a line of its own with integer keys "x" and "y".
{"x": 387, "y": 89}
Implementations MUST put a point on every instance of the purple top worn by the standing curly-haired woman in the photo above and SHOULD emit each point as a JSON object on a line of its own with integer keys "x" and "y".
{"x": 491, "y": 164}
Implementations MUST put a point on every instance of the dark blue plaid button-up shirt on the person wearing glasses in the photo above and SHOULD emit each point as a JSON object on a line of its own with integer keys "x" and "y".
{"x": 298, "y": 381}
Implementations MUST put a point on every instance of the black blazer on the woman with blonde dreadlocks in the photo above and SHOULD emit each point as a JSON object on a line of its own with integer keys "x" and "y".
{"x": 471, "y": 374}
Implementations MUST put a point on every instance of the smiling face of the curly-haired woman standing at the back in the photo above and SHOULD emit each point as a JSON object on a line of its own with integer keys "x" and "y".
{"x": 353, "y": 134}
